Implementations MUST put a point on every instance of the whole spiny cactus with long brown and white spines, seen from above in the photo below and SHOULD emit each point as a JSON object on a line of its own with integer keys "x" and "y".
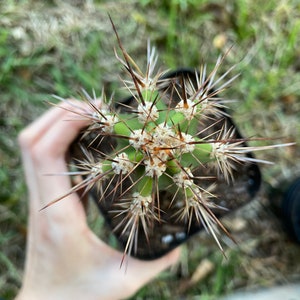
{"x": 157, "y": 163}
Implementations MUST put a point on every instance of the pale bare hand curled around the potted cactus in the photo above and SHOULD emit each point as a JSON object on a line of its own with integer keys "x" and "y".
{"x": 64, "y": 258}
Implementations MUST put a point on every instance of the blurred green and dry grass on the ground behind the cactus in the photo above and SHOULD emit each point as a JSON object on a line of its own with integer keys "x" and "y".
{"x": 57, "y": 48}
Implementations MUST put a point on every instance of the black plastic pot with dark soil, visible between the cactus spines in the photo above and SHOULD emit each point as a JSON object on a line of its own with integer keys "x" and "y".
{"x": 169, "y": 233}
